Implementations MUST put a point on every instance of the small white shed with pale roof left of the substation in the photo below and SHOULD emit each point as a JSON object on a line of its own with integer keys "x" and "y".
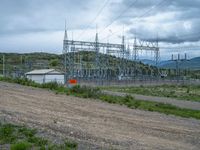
{"x": 45, "y": 76}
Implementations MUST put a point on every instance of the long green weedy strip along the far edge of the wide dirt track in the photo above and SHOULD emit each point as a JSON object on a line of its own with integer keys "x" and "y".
{"x": 95, "y": 93}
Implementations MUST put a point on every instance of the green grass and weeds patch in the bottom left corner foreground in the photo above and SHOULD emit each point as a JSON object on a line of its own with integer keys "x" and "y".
{"x": 22, "y": 138}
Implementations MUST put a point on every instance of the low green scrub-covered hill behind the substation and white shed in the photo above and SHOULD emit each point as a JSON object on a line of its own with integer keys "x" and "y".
{"x": 21, "y": 63}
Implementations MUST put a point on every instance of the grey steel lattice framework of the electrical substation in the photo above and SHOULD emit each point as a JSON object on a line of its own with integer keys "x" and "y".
{"x": 101, "y": 67}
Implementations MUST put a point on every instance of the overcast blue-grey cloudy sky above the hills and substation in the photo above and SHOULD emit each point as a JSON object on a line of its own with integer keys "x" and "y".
{"x": 38, "y": 25}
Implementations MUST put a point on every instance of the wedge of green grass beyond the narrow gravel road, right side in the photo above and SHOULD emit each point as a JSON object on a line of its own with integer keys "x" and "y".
{"x": 181, "y": 92}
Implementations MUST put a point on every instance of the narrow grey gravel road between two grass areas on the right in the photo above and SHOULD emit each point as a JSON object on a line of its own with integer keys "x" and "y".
{"x": 179, "y": 103}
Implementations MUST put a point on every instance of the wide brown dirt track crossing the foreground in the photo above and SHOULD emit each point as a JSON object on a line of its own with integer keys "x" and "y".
{"x": 95, "y": 124}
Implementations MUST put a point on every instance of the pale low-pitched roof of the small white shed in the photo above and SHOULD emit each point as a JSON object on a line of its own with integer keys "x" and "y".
{"x": 43, "y": 71}
